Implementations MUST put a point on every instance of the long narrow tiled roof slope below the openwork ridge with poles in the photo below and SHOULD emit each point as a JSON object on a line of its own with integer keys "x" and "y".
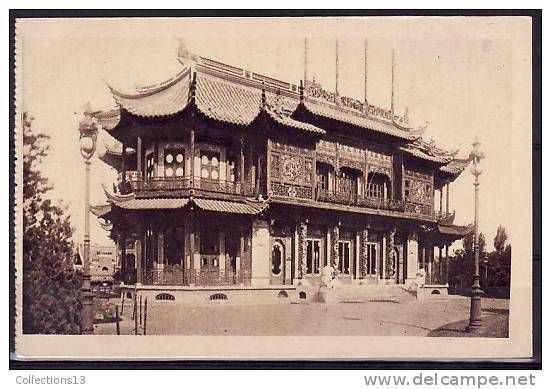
{"x": 335, "y": 113}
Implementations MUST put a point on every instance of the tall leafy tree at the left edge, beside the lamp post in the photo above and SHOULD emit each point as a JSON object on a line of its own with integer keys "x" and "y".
{"x": 51, "y": 289}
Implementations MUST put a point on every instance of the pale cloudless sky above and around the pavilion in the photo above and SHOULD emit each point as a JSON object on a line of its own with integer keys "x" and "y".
{"x": 455, "y": 74}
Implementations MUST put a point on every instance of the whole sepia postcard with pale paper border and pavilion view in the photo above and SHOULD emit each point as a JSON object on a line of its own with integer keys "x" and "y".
{"x": 337, "y": 187}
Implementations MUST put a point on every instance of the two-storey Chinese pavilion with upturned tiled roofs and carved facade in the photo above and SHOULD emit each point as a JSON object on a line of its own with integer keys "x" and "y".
{"x": 229, "y": 178}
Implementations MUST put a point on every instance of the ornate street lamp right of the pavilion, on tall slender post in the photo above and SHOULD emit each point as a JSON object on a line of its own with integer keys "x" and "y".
{"x": 475, "y": 318}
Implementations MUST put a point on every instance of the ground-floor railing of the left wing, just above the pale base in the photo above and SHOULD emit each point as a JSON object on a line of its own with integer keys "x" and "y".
{"x": 176, "y": 276}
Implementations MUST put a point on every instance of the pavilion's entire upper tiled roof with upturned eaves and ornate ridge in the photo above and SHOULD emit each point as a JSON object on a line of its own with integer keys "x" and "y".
{"x": 233, "y": 95}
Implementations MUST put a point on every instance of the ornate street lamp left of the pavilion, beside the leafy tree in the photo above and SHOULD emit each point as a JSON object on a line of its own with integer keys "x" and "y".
{"x": 87, "y": 141}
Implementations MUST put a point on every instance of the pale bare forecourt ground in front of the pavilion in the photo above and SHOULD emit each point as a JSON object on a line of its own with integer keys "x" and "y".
{"x": 443, "y": 317}
